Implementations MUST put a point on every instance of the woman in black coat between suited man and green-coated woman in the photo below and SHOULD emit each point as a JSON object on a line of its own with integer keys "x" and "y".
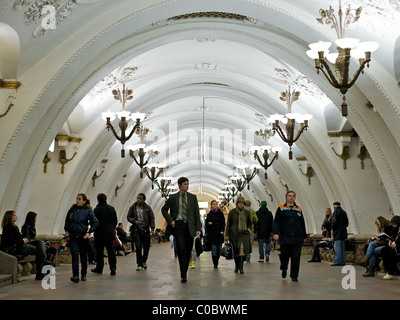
{"x": 215, "y": 227}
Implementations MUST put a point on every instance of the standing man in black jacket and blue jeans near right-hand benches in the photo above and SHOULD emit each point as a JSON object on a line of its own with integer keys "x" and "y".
{"x": 339, "y": 233}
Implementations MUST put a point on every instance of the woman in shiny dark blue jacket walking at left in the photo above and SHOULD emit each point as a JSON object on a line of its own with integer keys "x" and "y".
{"x": 80, "y": 222}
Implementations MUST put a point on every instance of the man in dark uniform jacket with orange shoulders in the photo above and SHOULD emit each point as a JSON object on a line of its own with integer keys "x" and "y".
{"x": 289, "y": 228}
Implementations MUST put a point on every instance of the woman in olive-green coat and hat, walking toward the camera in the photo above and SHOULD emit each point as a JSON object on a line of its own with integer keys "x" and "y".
{"x": 238, "y": 229}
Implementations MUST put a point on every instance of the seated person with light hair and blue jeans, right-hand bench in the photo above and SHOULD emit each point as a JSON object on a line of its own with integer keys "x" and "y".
{"x": 375, "y": 246}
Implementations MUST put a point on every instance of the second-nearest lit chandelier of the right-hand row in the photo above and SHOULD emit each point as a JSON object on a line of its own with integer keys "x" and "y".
{"x": 289, "y": 120}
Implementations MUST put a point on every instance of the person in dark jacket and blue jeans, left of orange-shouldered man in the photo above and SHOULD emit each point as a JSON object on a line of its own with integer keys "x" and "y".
{"x": 264, "y": 231}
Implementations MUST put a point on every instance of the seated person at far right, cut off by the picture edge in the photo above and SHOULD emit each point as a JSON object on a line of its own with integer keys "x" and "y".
{"x": 391, "y": 252}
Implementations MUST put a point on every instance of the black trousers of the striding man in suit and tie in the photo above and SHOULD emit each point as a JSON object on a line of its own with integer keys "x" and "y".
{"x": 184, "y": 245}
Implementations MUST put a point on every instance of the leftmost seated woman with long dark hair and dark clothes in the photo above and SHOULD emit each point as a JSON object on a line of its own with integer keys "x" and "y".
{"x": 14, "y": 243}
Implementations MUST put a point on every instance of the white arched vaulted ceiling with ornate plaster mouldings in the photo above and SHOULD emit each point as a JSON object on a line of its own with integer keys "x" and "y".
{"x": 207, "y": 74}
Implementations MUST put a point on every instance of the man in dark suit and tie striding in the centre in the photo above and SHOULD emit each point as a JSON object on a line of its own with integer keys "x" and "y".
{"x": 183, "y": 222}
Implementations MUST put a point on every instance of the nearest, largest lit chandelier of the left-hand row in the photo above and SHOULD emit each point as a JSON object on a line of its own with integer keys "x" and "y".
{"x": 124, "y": 116}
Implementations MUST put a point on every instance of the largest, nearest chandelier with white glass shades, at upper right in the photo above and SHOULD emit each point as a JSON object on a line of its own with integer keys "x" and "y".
{"x": 346, "y": 47}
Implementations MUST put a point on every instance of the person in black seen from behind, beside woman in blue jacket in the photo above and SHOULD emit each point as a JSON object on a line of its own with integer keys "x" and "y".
{"x": 105, "y": 234}
